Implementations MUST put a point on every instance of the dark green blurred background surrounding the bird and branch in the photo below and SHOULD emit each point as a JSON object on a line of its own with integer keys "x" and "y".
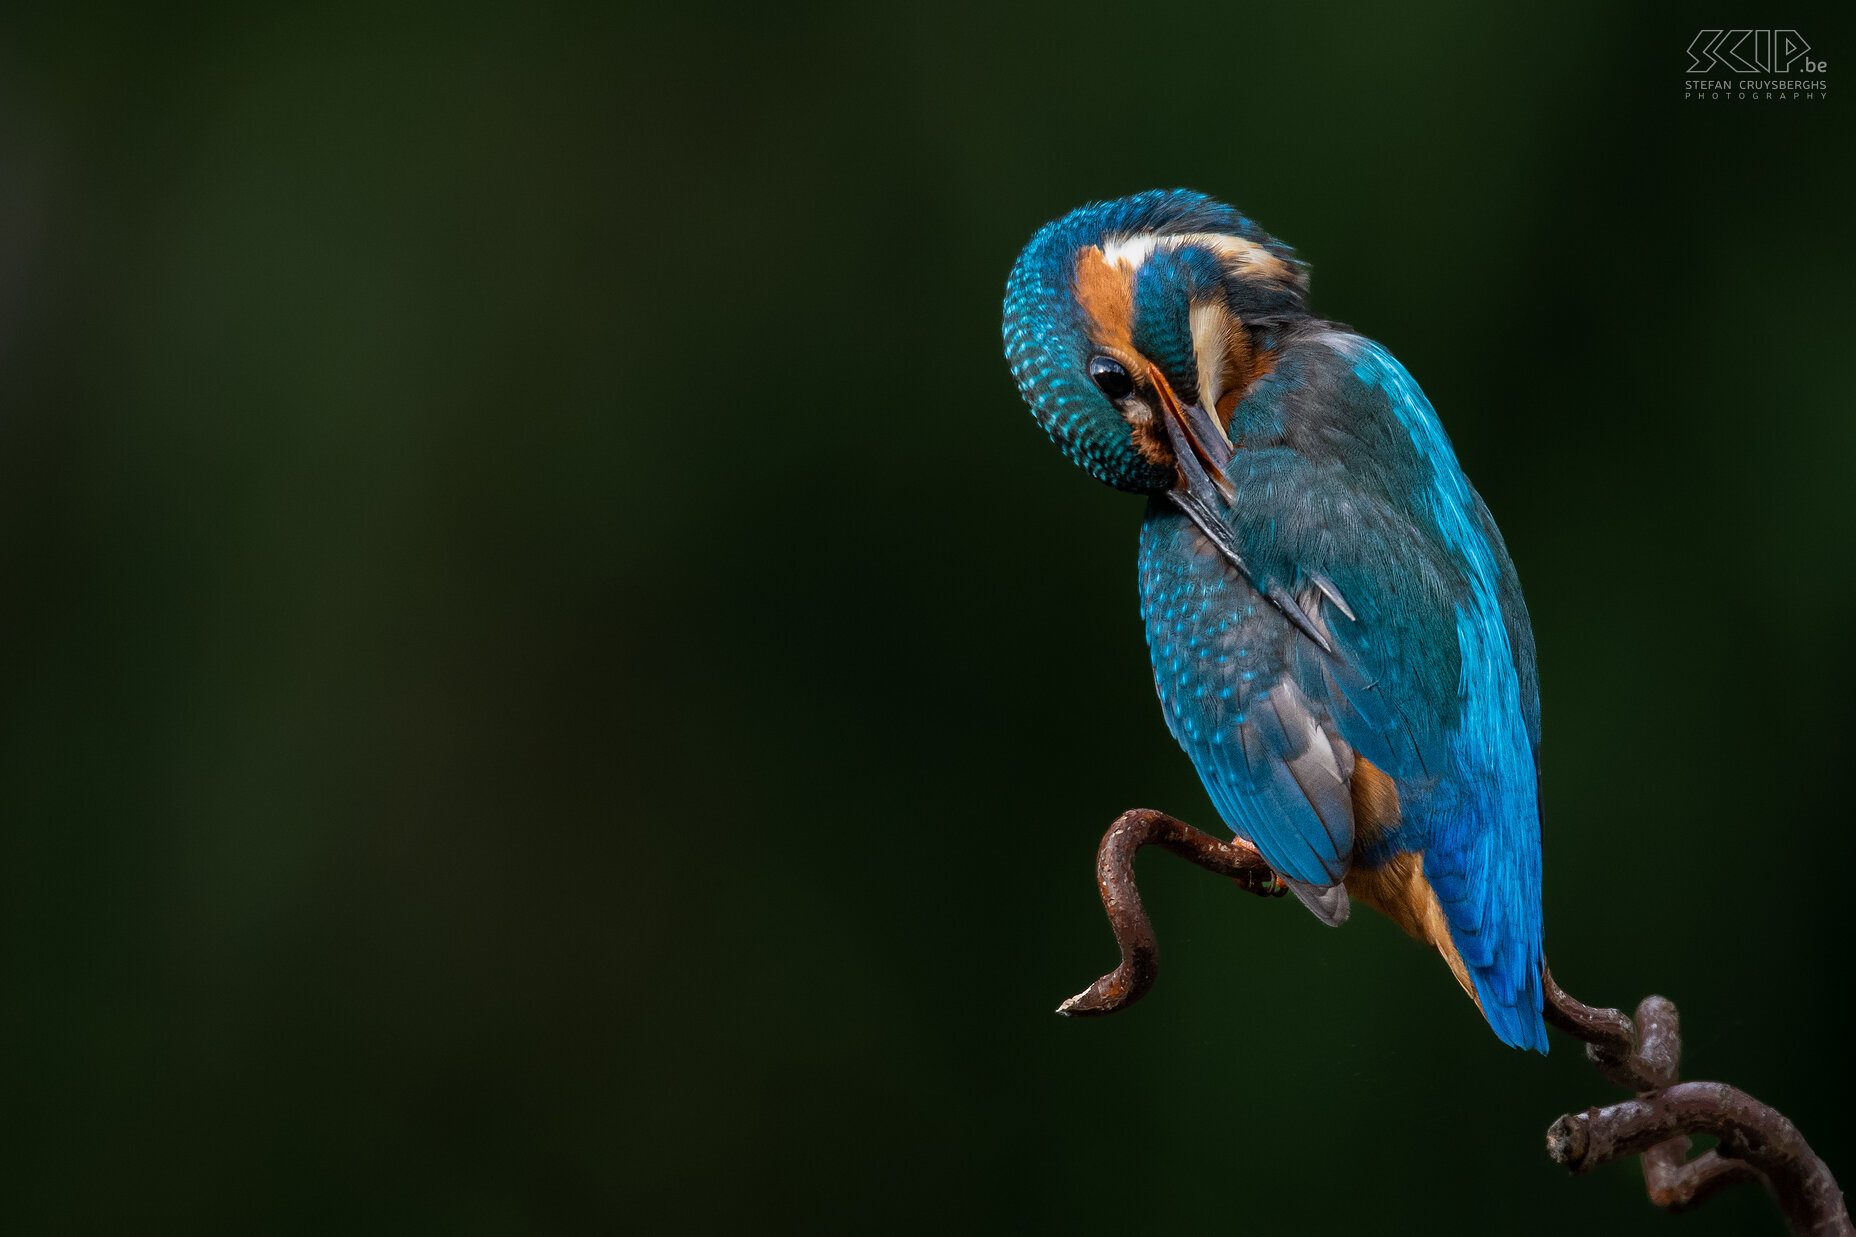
{"x": 550, "y": 684}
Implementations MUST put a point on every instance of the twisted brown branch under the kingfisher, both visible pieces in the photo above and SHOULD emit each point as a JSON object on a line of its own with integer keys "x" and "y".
{"x": 1643, "y": 1056}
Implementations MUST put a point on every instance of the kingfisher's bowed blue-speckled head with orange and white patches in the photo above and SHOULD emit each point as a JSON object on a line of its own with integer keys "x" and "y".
{"x": 1133, "y": 330}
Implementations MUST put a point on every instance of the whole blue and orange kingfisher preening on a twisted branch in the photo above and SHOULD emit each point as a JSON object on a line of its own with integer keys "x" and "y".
{"x": 1337, "y": 632}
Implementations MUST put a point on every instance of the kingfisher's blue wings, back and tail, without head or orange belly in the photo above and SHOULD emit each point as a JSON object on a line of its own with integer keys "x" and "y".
{"x": 1352, "y": 502}
